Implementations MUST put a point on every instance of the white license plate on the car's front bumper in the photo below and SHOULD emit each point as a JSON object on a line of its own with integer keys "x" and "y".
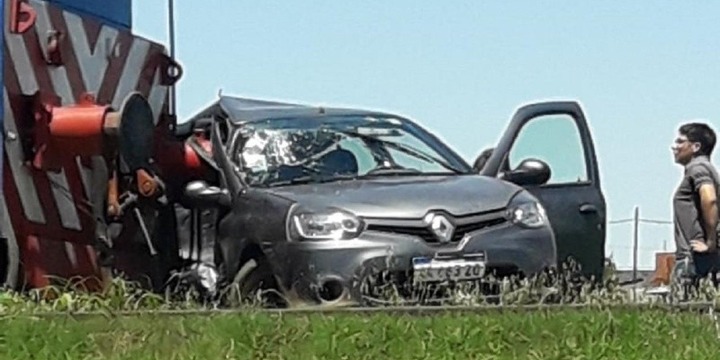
{"x": 434, "y": 270}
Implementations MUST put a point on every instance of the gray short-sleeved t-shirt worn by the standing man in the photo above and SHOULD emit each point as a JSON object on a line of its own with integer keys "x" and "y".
{"x": 686, "y": 203}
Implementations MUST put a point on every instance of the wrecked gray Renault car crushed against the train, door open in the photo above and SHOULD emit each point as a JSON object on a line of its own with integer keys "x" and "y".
{"x": 316, "y": 203}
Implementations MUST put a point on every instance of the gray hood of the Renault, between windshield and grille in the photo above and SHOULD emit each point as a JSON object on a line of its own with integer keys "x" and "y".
{"x": 405, "y": 197}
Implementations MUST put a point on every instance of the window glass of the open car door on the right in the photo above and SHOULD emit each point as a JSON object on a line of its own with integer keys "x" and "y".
{"x": 554, "y": 139}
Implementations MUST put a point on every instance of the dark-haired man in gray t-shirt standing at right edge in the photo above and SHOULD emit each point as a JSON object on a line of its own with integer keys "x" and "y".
{"x": 695, "y": 205}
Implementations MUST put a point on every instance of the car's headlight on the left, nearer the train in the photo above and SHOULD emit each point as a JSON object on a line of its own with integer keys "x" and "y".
{"x": 329, "y": 224}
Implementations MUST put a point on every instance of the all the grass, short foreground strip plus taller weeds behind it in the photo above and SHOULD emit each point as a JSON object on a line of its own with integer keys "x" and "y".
{"x": 40, "y": 324}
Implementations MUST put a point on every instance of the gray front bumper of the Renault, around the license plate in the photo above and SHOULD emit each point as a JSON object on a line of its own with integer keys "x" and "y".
{"x": 308, "y": 269}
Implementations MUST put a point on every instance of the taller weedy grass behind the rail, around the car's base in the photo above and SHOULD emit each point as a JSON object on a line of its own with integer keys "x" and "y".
{"x": 561, "y": 288}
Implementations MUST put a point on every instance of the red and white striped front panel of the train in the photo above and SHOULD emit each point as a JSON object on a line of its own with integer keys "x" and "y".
{"x": 110, "y": 63}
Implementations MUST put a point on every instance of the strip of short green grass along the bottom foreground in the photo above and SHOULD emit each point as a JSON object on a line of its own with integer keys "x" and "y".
{"x": 550, "y": 334}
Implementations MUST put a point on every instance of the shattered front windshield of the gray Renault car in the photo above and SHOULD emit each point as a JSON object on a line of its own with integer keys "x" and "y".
{"x": 329, "y": 148}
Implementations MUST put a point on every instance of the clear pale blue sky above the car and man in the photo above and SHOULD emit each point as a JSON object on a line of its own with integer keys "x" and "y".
{"x": 461, "y": 68}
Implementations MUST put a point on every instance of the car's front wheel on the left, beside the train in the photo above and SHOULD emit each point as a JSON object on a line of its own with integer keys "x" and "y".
{"x": 255, "y": 284}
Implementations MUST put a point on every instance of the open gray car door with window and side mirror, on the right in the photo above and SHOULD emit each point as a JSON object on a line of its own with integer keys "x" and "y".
{"x": 557, "y": 134}
